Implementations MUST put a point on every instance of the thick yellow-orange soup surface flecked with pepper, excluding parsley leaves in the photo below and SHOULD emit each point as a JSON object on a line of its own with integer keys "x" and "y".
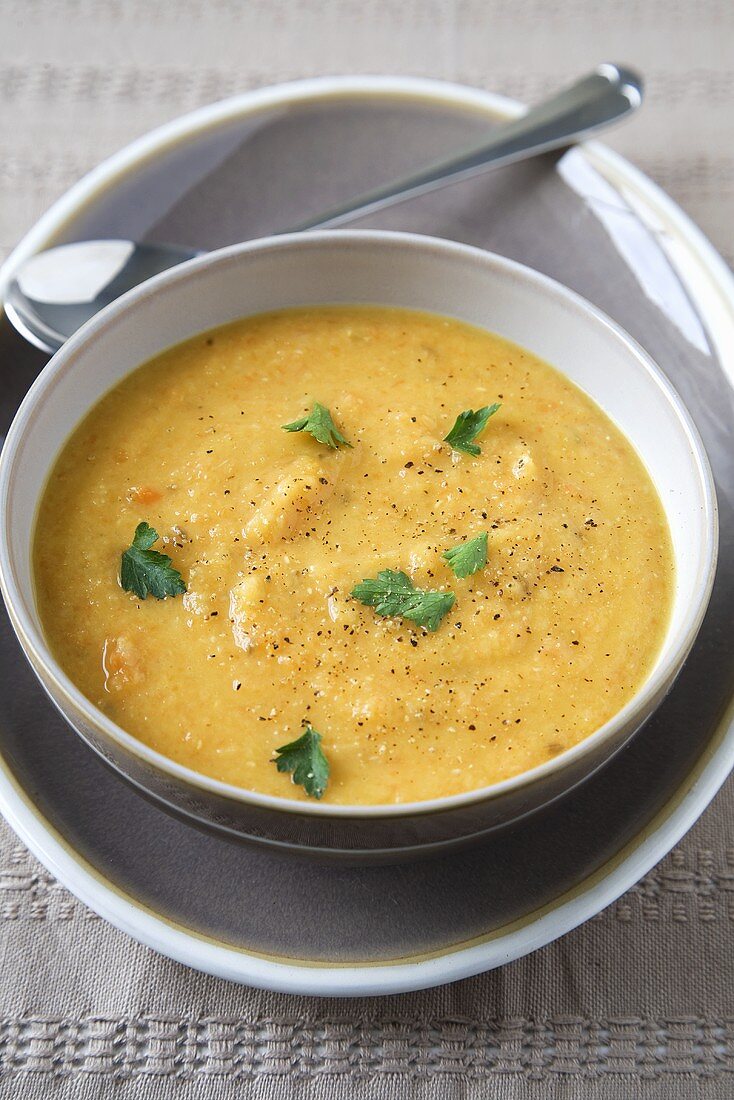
{"x": 271, "y": 531}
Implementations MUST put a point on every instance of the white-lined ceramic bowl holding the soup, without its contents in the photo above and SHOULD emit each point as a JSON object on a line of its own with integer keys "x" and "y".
{"x": 397, "y": 270}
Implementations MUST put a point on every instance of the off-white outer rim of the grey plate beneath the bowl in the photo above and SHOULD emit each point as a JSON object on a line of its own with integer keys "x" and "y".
{"x": 534, "y": 930}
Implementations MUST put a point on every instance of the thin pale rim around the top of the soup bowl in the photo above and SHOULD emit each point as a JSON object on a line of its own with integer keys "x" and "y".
{"x": 41, "y": 657}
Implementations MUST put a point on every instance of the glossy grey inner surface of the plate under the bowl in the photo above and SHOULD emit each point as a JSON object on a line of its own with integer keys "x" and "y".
{"x": 258, "y": 173}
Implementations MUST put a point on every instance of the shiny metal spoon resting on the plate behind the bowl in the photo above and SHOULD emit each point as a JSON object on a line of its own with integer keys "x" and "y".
{"x": 56, "y": 292}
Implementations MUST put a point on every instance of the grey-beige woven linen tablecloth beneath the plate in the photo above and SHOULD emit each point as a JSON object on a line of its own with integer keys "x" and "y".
{"x": 639, "y": 1003}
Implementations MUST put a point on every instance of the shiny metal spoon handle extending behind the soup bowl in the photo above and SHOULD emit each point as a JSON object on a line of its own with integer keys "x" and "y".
{"x": 596, "y": 101}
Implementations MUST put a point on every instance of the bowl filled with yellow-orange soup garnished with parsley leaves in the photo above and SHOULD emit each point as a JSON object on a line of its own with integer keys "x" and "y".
{"x": 355, "y": 544}
